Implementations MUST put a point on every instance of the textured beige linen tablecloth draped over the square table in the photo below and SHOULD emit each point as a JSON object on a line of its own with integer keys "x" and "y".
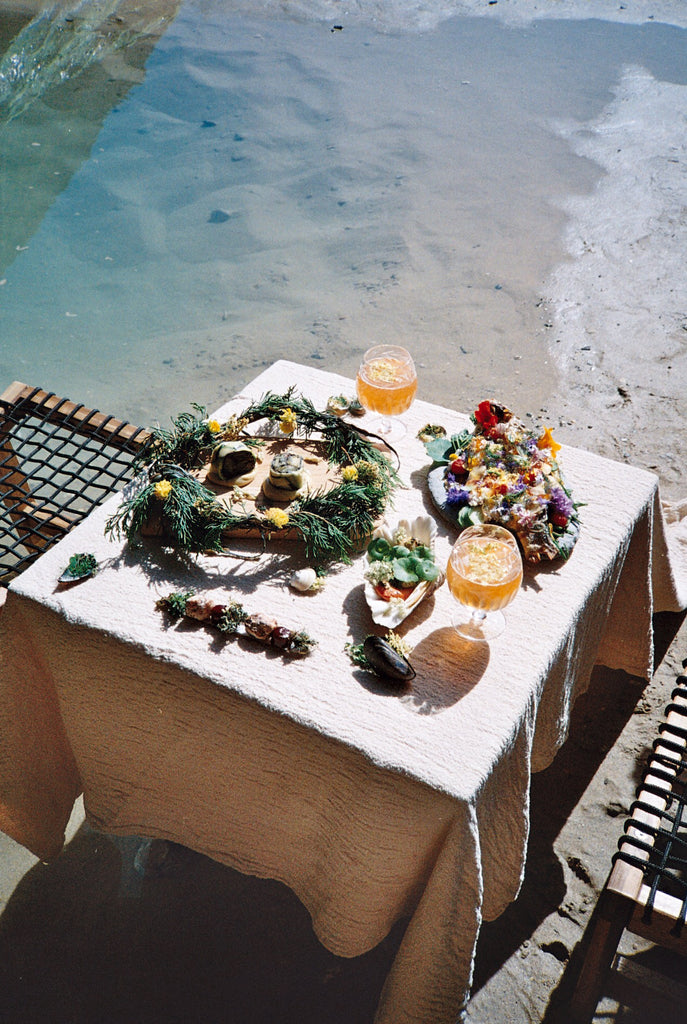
{"x": 370, "y": 805}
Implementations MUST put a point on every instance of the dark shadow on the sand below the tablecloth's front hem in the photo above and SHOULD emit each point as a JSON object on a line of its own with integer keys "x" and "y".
{"x": 90, "y": 941}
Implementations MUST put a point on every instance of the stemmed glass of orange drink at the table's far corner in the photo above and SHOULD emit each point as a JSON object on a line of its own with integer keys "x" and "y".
{"x": 387, "y": 385}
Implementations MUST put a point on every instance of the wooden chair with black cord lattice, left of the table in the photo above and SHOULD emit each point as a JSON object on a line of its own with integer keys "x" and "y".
{"x": 58, "y": 461}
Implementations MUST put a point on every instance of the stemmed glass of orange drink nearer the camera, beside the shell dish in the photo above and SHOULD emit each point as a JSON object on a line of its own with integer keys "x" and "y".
{"x": 485, "y": 574}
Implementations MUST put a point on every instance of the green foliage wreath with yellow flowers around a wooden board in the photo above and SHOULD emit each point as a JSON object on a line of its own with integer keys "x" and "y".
{"x": 331, "y": 523}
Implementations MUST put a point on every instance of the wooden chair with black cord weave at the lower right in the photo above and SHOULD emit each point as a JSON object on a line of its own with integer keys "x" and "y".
{"x": 647, "y": 892}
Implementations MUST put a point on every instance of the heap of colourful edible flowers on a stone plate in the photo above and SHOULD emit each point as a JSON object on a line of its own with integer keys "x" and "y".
{"x": 506, "y": 474}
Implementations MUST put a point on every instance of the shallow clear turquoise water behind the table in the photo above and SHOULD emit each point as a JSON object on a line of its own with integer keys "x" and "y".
{"x": 187, "y": 210}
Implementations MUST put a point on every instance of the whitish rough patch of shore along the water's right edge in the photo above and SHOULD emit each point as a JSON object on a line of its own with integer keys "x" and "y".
{"x": 621, "y": 301}
